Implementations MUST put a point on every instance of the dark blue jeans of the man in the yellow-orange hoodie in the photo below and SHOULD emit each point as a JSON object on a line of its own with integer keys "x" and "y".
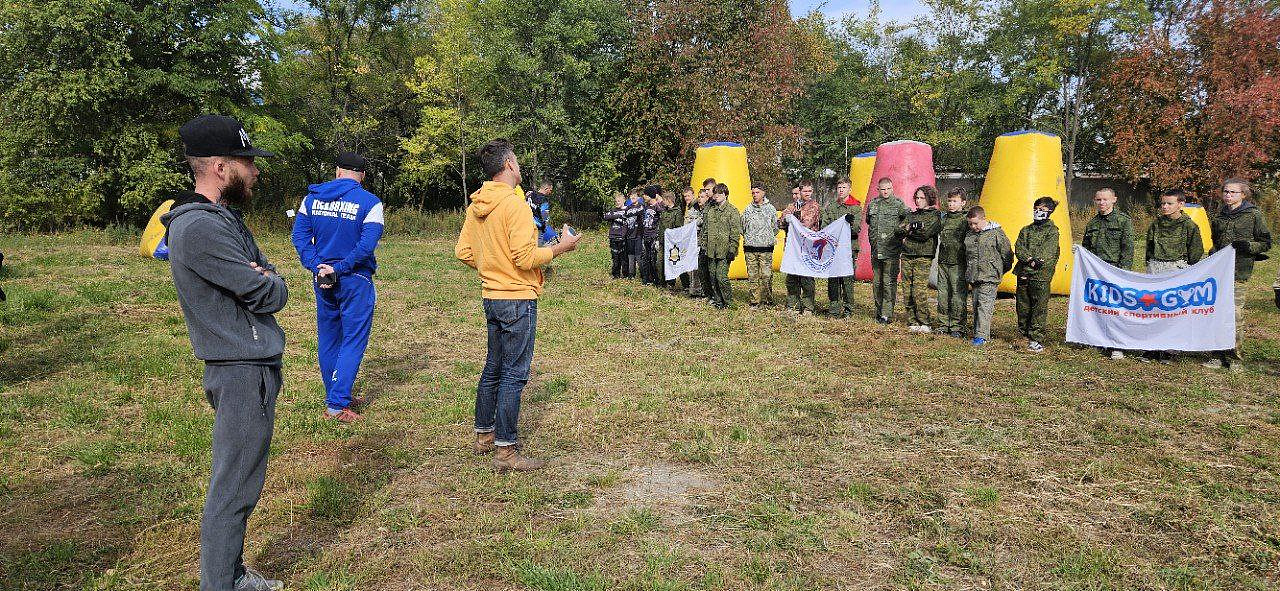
{"x": 513, "y": 326}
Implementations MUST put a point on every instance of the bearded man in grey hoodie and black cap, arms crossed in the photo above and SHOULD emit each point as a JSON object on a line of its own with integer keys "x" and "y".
{"x": 228, "y": 294}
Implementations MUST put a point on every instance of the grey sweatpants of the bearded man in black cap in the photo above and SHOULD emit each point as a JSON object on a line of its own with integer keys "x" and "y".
{"x": 244, "y": 400}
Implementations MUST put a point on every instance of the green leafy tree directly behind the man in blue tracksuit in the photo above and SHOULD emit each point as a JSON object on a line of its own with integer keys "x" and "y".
{"x": 340, "y": 84}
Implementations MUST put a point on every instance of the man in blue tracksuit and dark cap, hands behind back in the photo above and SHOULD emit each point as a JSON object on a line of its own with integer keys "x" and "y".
{"x": 336, "y": 231}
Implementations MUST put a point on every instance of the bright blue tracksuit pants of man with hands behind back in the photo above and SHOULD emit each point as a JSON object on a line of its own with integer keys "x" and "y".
{"x": 344, "y": 317}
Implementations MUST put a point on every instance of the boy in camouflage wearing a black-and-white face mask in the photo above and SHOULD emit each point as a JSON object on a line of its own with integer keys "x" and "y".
{"x": 1037, "y": 251}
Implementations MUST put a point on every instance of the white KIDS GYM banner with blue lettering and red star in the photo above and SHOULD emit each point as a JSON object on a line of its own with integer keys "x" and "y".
{"x": 1187, "y": 310}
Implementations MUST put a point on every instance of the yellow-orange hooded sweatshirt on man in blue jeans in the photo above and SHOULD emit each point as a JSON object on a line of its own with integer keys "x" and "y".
{"x": 500, "y": 241}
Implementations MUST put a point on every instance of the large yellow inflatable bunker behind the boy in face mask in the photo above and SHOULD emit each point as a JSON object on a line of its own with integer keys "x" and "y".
{"x": 1026, "y": 167}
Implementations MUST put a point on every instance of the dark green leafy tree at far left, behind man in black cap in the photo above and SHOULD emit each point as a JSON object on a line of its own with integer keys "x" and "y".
{"x": 93, "y": 94}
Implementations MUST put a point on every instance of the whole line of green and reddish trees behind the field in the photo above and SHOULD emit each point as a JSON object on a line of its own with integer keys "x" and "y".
{"x": 600, "y": 95}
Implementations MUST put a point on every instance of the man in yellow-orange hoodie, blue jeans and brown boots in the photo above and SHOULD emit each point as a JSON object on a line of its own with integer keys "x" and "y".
{"x": 500, "y": 240}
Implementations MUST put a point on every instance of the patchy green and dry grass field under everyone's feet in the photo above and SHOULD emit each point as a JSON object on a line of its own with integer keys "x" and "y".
{"x": 692, "y": 450}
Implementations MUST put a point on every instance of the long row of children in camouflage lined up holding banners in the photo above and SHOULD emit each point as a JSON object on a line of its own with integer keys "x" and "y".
{"x": 972, "y": 254}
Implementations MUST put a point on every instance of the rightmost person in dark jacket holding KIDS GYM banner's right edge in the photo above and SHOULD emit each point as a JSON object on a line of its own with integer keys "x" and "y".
{"x": 1240, "y": 225}
